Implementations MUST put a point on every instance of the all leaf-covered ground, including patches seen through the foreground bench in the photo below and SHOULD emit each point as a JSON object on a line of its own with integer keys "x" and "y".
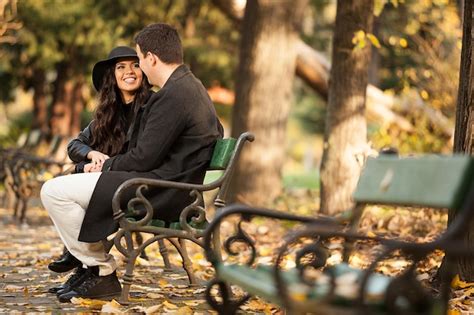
{"x": 25, "y": 251}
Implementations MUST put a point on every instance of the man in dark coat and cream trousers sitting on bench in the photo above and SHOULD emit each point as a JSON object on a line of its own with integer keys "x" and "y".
{"x": 172, "y": 138}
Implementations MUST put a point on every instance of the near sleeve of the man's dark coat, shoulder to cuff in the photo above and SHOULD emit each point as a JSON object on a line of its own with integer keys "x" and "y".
{"x": 165, "y": 122}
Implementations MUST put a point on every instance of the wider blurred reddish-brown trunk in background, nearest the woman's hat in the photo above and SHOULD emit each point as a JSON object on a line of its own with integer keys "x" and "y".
{"x": 61, "y": 113}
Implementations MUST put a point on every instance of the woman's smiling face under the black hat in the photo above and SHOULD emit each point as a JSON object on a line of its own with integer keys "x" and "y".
{"x": 129, "y": 77}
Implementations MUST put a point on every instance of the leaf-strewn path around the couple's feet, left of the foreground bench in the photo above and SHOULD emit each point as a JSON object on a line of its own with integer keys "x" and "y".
{"x": 25, "y": 251}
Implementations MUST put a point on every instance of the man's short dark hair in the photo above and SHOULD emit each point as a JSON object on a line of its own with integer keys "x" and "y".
{"x": 162, "y": 40}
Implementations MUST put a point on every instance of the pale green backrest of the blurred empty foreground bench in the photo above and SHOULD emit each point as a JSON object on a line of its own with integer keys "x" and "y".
{"x": 431, "y": 181}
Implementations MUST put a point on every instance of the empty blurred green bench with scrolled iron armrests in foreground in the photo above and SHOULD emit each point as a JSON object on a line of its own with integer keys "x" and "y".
{"x": 429, "y": 181}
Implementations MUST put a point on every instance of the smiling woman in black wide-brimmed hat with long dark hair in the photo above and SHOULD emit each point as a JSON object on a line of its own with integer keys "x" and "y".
{"x": 122, "y": 89}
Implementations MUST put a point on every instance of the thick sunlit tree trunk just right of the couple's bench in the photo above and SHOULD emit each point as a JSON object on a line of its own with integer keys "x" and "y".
{"x": 263, "y": 95}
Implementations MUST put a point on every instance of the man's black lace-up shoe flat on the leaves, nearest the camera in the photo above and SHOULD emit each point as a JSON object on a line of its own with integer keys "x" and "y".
{"x": 95, "y": 287}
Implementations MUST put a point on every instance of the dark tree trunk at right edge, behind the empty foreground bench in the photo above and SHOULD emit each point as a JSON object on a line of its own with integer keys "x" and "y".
{"x": 464, "y": 130}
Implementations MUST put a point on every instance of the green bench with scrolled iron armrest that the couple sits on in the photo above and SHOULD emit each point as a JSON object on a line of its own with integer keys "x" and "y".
{"x": 192, "y": 220}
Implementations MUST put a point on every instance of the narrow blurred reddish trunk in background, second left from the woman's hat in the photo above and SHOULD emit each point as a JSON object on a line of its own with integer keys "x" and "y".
{"x": 40, "y": 107}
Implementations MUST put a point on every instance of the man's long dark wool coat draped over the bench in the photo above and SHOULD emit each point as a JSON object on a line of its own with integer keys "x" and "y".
{"x": 172, "y": 138}
